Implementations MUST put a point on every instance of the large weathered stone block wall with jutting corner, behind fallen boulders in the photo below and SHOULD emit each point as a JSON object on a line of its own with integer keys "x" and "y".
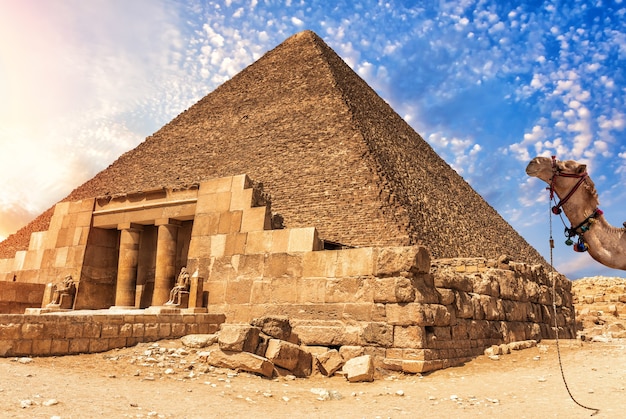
{"x": 409, "y": 315}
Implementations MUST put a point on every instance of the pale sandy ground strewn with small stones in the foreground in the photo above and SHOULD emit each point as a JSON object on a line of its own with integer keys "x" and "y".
{"x": 165, "y": 380}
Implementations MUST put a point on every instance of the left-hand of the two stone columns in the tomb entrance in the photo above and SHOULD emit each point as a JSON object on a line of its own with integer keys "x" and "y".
{"x": 130, "y": 235}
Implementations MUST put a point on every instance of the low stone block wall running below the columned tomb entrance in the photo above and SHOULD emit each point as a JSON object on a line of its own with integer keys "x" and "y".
{"x": 74, "y": 333}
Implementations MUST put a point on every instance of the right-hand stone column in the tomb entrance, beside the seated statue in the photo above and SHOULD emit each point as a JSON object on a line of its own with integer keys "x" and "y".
{"x": 165, "y": 270}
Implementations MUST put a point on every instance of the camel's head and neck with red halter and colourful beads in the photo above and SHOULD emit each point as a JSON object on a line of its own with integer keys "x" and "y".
{"x": 579, "y": 201}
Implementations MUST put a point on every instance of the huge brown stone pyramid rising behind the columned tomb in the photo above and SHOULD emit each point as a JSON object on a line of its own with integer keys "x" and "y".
{"x": 331, "y": 153}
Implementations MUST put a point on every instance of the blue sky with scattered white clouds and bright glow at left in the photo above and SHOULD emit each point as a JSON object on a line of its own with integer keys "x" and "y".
{"x": 489, "y": 84}
